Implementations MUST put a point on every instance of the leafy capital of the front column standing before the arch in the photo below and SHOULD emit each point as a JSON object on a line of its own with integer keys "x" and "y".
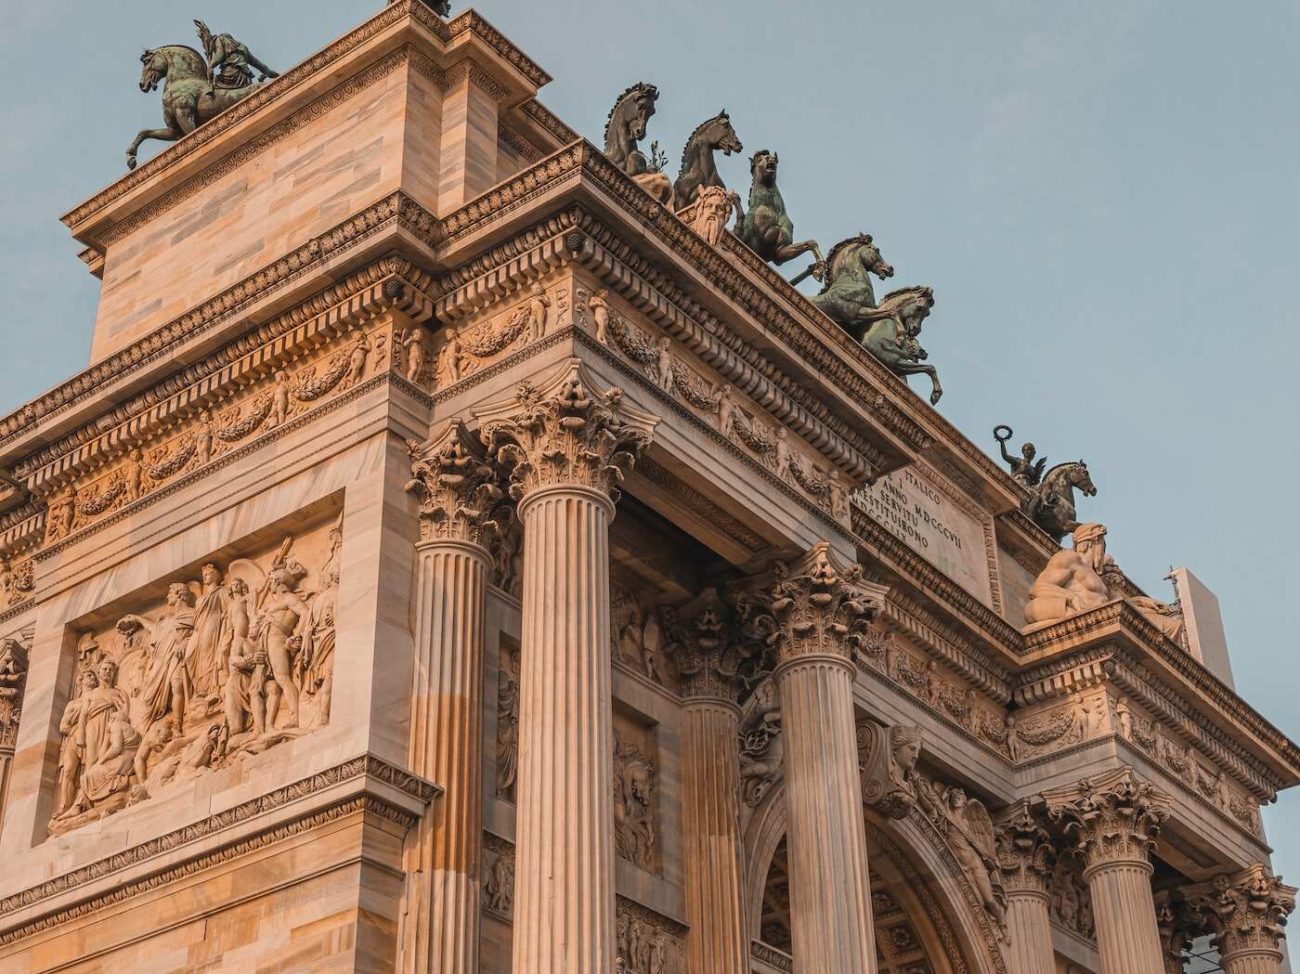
{"x": 817, "y": 607}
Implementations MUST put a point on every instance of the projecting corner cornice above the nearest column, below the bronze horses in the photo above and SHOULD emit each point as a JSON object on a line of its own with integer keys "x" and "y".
{"x": 804, "y": 356}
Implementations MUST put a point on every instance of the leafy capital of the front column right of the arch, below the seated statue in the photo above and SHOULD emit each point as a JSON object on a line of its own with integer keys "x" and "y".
{"x": 1115, "y": 817}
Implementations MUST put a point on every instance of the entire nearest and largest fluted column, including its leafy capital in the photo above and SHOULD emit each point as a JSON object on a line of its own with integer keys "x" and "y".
{"x": 567, "y": 447}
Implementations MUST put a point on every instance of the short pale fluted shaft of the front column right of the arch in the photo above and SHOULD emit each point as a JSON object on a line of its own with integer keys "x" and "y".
{"x": 1125, "y": 914}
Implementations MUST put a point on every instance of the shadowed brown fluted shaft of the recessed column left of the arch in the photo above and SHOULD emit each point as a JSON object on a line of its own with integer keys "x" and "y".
{"x": 712, "y": 842}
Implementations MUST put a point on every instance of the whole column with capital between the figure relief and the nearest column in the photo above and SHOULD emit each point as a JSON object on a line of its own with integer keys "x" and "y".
{"x": 457, "y": 494}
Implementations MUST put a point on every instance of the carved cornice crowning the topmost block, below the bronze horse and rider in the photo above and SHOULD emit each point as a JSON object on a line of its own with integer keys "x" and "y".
{"x": 404, "y": 24}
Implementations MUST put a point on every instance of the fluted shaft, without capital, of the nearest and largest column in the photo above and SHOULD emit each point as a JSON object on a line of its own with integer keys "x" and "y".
{"x": 565, "y": 824}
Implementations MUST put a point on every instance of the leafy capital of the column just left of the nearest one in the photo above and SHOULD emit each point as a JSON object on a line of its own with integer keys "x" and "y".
{"x": 457, "y": 490}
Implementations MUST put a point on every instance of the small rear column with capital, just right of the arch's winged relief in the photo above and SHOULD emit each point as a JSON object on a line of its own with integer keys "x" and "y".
{"x": 1026, "y": 855}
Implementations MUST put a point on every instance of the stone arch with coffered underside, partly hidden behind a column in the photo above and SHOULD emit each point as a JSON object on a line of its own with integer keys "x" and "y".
{"x": 921, "y": 897}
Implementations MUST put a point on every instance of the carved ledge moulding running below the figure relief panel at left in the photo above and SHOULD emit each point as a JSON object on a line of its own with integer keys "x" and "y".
{"x": 356, "y": 770}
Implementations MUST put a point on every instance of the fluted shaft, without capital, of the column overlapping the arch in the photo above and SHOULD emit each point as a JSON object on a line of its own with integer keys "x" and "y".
{"x": 830, "y": 886}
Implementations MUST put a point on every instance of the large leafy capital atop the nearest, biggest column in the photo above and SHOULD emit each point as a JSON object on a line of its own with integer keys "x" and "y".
{"x": 565, "y": 434}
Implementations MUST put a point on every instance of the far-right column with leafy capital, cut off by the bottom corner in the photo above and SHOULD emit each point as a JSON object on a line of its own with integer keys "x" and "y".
{"x": 1247, "y": 914}
